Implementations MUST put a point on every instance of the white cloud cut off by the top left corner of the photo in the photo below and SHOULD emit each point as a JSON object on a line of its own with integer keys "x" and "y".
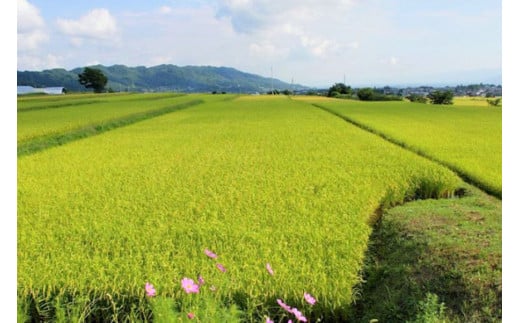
{"x": 31, "y": 27}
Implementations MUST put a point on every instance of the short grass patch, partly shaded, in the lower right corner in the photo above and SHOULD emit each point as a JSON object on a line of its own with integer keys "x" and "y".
{"x": 442, "y": 252}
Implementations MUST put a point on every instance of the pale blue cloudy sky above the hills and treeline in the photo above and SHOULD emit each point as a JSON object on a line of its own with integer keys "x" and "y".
{"x": 310, "y": 42}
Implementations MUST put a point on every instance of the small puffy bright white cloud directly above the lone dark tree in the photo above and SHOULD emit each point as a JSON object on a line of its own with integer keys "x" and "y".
{"x": 97, "y": 24}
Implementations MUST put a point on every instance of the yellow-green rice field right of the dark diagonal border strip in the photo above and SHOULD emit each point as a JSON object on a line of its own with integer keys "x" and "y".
{"x": 468, "y": 139}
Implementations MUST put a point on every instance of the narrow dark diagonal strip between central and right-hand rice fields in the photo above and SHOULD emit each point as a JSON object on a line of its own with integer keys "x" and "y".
{"x": 463, "y": 175}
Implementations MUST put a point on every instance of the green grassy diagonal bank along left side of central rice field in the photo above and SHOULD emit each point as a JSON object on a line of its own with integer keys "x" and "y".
{"x": 38, "y": 144}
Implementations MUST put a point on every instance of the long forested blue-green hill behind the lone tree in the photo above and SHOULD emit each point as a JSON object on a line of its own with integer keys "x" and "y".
{"x": 160, "y": 78}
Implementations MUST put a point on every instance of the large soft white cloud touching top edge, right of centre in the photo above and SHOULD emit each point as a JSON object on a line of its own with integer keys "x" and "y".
{"x": 291, "y": 26}
